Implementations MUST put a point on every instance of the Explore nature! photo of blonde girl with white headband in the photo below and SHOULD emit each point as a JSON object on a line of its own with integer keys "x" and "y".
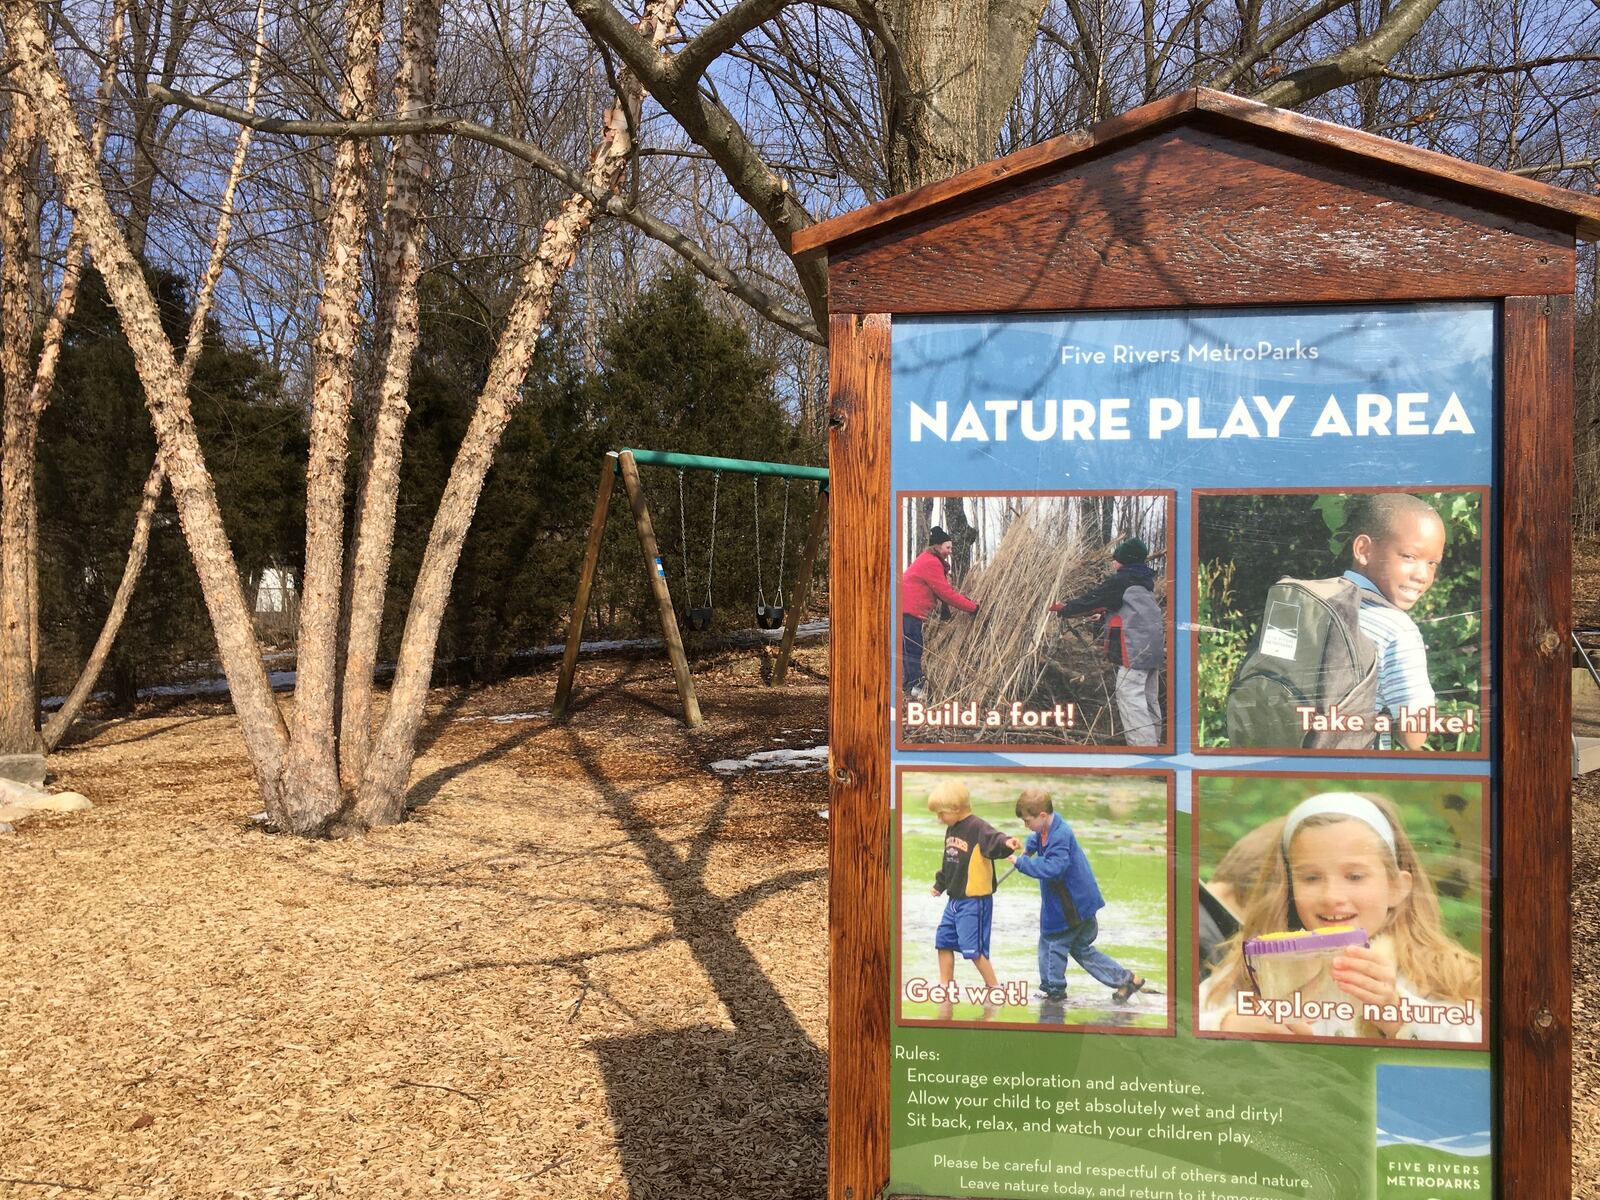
{"x": 1342, "y": 910}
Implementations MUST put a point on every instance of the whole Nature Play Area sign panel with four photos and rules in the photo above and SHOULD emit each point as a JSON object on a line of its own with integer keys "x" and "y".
{"x": 1193, "y": 737}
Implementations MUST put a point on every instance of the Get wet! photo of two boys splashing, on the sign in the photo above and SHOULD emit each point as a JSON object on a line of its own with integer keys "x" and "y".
{"x": 1031, "y": 898}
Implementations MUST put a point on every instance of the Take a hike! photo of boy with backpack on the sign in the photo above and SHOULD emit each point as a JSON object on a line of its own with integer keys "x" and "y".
{"x": 1342, "y": 622}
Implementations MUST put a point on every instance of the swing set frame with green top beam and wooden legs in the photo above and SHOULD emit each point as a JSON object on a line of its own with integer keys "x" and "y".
{"x": 625, "y": 465}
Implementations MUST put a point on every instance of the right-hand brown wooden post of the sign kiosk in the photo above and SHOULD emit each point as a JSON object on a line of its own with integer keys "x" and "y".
{"x": 1535, "y": 1140}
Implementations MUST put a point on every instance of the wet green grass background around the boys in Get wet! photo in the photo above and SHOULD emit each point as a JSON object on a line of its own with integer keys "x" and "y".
{"x": 1121, "y": 822}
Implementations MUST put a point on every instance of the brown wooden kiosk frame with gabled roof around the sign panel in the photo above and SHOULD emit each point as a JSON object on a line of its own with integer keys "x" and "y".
{"x": 1212, "y": 202}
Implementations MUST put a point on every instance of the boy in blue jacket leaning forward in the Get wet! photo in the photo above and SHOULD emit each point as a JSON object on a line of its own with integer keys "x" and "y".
{"x": 1068, "y": 902}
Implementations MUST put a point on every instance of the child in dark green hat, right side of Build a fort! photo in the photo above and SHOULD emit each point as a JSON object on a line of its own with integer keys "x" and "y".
{"x": 1135, "y": 639}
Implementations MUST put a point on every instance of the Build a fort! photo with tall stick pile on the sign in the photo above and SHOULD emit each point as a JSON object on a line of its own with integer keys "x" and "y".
{"x": 1034, "y": 620}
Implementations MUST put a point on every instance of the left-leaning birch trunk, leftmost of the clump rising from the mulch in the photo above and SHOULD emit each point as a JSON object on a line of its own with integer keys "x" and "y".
{"x": 38, "y": 74}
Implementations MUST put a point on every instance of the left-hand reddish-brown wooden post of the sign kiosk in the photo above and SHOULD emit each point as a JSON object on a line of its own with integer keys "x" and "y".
{"x": 858, "y": 705}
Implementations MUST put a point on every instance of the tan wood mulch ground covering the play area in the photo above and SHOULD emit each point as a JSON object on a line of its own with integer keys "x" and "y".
{"x": 586, "y": 967}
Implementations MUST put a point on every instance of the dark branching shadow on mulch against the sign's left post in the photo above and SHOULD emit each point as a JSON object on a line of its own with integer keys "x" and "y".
{"x": 714, "y": 1113}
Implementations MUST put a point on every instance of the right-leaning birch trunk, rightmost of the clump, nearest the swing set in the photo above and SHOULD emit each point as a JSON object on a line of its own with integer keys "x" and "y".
{"x": 382, "y": 798}
